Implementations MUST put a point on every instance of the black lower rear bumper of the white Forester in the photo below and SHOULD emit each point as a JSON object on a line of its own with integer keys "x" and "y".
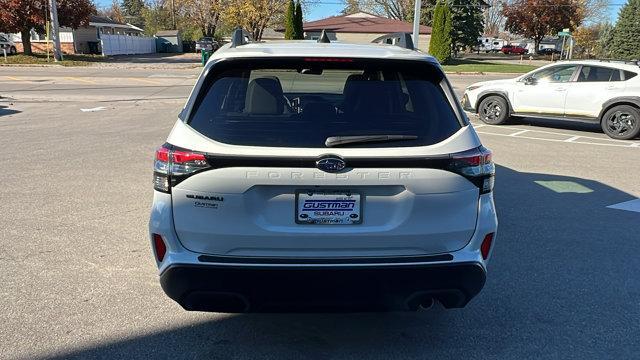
{"x": 308, "y": 288}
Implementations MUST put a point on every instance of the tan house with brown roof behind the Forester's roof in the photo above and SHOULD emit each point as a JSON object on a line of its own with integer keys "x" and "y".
{"x": 362, "y": 27}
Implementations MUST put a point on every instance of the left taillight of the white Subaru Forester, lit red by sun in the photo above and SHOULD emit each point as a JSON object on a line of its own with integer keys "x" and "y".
{"x": 172, "y": 166}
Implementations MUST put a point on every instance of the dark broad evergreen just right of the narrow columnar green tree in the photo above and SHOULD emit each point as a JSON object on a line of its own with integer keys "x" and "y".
{"x": 468, "y": 23}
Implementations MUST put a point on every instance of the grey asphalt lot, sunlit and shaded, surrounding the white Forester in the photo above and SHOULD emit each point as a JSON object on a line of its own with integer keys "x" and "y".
{"x": 78, "y": 278}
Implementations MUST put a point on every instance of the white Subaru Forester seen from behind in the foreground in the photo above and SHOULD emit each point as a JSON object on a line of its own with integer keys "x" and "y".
{"x": 316, "y": 176}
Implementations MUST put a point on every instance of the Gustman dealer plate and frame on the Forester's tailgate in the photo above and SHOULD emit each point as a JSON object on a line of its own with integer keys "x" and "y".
{"x": 352, "y": 215}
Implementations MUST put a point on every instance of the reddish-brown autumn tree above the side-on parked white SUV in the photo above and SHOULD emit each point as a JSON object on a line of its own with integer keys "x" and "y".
{"x": 536, "y": 19}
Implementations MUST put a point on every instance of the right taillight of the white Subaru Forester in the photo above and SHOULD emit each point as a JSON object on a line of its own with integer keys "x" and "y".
{"x": 477, "y": 166}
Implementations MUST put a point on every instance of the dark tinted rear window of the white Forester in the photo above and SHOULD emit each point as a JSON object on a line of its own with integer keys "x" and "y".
{"x": 303, "y": 102}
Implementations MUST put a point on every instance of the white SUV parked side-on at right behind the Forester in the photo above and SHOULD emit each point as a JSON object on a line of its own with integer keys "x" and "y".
{"x": 605, "y": 92}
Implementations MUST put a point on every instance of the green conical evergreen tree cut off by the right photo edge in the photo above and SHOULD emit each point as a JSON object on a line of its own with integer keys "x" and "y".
{"x": 626, "y": 34}
